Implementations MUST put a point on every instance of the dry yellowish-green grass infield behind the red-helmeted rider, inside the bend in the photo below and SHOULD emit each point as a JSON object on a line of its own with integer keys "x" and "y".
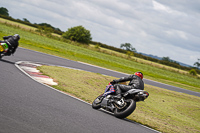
{"x": 164, "y": 110}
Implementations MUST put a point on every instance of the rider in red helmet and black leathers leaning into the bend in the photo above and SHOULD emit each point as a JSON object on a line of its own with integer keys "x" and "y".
{"x": 136, "y": 82}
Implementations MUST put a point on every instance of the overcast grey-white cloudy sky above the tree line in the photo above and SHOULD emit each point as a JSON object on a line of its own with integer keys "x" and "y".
{"x": 165, "y": 28}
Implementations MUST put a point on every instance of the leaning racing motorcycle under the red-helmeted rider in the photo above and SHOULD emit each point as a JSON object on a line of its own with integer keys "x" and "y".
{"x": 123, "y": 107}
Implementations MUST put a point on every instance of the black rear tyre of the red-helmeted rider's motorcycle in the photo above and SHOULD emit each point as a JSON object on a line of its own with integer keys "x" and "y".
{"x": 125, "y": 111}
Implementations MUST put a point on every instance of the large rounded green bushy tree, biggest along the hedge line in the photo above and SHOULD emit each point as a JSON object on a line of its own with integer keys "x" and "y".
{"x": 79, "y": 34}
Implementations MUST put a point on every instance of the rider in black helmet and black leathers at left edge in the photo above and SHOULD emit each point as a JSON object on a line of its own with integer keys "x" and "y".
{"x": 12, "y": 42}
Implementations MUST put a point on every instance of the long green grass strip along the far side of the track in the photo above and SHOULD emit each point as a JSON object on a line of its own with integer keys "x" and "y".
{"x": 36, "y": 42}
